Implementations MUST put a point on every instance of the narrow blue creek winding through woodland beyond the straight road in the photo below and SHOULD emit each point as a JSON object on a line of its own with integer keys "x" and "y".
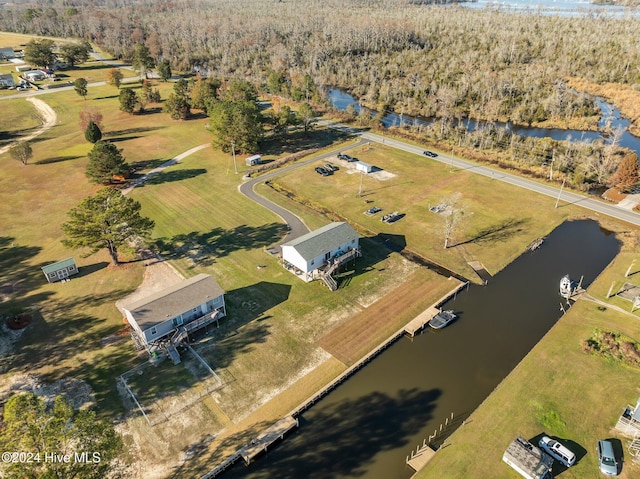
{"x": 341, "y": 100}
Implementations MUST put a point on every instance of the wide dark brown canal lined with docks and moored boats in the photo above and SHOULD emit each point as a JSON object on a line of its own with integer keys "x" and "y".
{"x": 367, "y": 426}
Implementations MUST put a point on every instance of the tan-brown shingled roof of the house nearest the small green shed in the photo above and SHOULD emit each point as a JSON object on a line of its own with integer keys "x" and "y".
{"x": 174, "y": 300}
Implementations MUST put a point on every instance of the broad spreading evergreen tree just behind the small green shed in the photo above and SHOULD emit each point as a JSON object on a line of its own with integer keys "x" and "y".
{"x": 108, "y": 220}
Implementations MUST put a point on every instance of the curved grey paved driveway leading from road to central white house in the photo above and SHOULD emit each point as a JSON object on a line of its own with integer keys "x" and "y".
{"x": 296, "y": 226}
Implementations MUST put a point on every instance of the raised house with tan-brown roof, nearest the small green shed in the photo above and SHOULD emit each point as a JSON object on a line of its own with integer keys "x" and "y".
{"x": 174, "y": 312}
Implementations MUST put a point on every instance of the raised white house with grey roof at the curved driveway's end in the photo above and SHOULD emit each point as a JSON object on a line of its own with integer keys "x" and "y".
{"x": 316, "y": 254}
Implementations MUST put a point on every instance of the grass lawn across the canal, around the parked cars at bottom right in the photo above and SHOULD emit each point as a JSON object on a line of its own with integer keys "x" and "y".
{"x": 557, "y": 390}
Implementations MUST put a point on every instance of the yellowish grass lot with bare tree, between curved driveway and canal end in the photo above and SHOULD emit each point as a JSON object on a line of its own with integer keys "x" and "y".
{"x": 499, "y": 220}
